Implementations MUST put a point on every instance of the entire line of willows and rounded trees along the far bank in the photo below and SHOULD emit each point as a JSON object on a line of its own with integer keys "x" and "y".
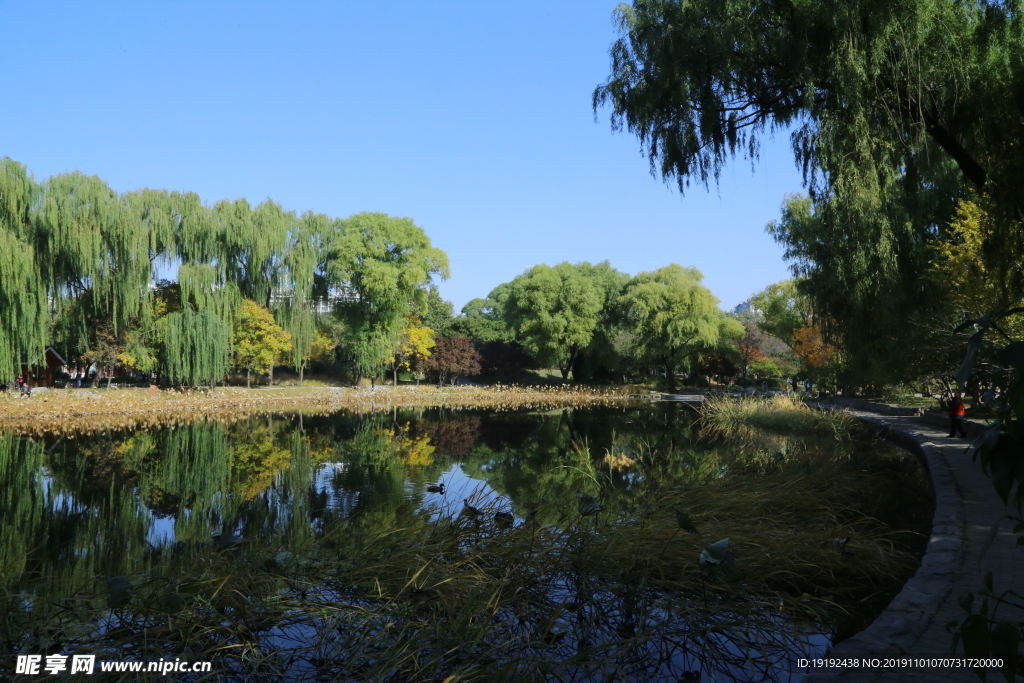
{"x": 260, "y": 287}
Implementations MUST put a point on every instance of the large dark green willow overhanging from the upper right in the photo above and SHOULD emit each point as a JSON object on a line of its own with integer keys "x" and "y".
{"x": 900, "y": 111}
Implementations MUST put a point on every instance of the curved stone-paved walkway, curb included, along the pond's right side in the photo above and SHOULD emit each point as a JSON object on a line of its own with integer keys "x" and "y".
{"x": 915, "y": 624}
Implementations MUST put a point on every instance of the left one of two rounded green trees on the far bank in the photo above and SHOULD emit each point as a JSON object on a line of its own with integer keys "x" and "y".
{"x": 554, "y": 312}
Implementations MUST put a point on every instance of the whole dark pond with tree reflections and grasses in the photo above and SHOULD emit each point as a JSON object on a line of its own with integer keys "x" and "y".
{"x": 304, "y": 547}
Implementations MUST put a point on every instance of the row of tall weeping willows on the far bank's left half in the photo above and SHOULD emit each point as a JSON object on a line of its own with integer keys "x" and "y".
{"x": 77, "y": 263}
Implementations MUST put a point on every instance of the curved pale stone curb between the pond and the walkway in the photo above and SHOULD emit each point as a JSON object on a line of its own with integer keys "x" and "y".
{"x": 911, "y": 612}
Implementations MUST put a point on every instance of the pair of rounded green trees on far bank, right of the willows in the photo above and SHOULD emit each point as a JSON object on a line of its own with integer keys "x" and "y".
{"x": 594, "y": 322}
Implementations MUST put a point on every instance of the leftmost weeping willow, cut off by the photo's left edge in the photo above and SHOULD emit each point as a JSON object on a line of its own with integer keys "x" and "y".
{"x": 23, "y": 290}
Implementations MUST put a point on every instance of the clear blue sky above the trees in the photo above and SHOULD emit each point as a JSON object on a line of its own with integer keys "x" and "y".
{"x": 474, "y": 119}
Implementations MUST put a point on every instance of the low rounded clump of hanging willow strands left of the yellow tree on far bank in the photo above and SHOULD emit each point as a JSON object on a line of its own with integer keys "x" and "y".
{"x": 195, "y": 348}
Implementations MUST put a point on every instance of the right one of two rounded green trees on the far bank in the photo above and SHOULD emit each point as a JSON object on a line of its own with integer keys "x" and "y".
{"x": 672, "y": 315}
